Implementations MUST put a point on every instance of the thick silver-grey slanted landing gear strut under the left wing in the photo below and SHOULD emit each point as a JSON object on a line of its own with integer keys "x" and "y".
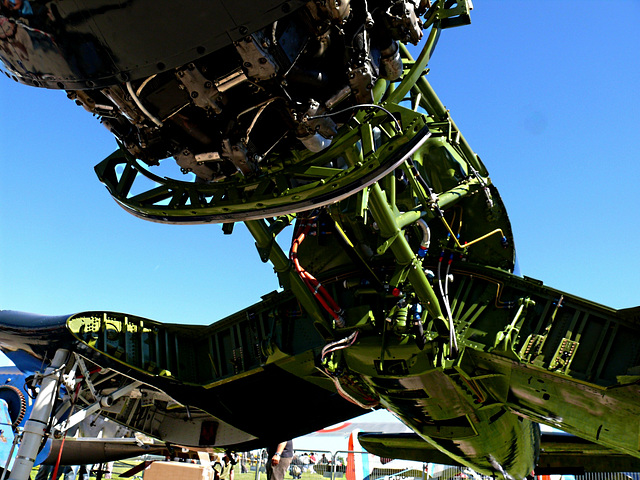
{"x": 35, "y": 427}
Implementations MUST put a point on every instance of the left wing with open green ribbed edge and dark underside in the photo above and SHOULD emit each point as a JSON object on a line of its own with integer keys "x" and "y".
{"x": 225, "y": 385}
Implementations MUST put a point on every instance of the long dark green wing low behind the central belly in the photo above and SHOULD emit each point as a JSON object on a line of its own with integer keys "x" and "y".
{"x": 560, "y": 453}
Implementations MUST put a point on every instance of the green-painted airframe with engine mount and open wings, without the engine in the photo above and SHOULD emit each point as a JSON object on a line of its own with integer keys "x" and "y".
{"x": 398, "y": 293}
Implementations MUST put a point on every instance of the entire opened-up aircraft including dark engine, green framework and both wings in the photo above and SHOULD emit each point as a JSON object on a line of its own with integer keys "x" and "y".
{"x": 398, "y": 290}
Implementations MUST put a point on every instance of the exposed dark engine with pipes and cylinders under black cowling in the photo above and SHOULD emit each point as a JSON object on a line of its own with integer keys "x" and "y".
{"x": 285, "y": 86}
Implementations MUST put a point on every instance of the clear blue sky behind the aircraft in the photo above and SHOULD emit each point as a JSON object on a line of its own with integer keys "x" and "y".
{"x": 545, "y": 92}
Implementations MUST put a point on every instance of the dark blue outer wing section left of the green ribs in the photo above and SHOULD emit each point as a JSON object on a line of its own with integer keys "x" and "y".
{"x": 29, "y": 339}
